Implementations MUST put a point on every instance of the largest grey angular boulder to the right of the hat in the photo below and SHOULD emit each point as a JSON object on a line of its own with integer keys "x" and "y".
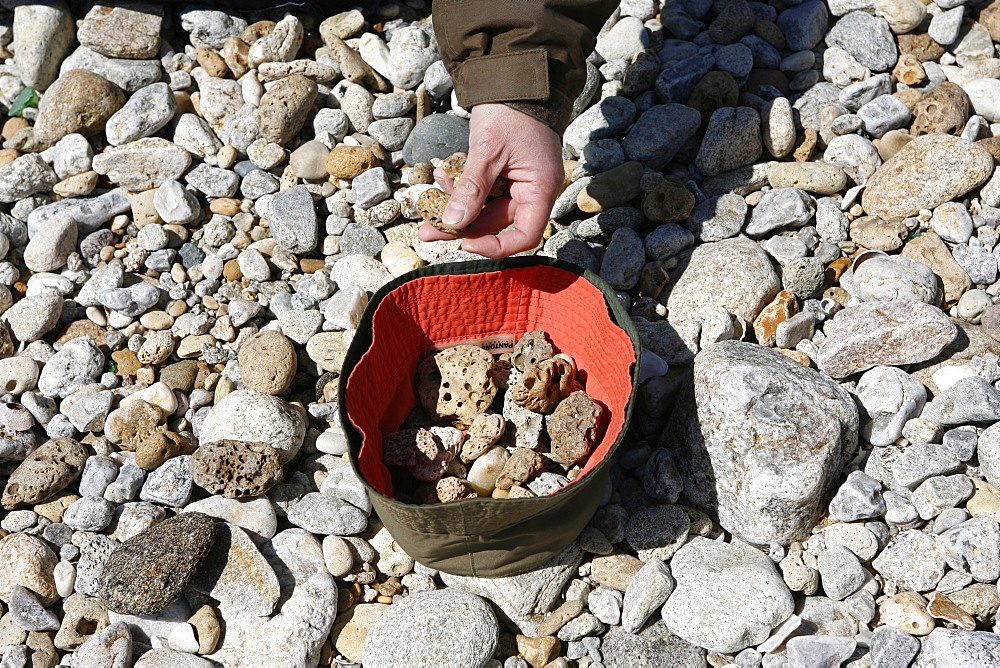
{"x": 761, "y": 441}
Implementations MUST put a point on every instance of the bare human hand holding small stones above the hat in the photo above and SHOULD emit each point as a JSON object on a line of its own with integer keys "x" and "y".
{"x": 510, "y": 143}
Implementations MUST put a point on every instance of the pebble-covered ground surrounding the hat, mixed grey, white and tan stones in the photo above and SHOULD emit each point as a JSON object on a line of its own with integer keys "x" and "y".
{"x": 797, "y": 201}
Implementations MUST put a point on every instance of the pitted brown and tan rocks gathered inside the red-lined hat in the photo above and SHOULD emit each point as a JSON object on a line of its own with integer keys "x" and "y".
{"x": 536, "y": 445}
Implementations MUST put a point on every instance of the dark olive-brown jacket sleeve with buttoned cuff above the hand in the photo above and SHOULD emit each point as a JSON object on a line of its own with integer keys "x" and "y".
{"x": 530, "y": 54}
